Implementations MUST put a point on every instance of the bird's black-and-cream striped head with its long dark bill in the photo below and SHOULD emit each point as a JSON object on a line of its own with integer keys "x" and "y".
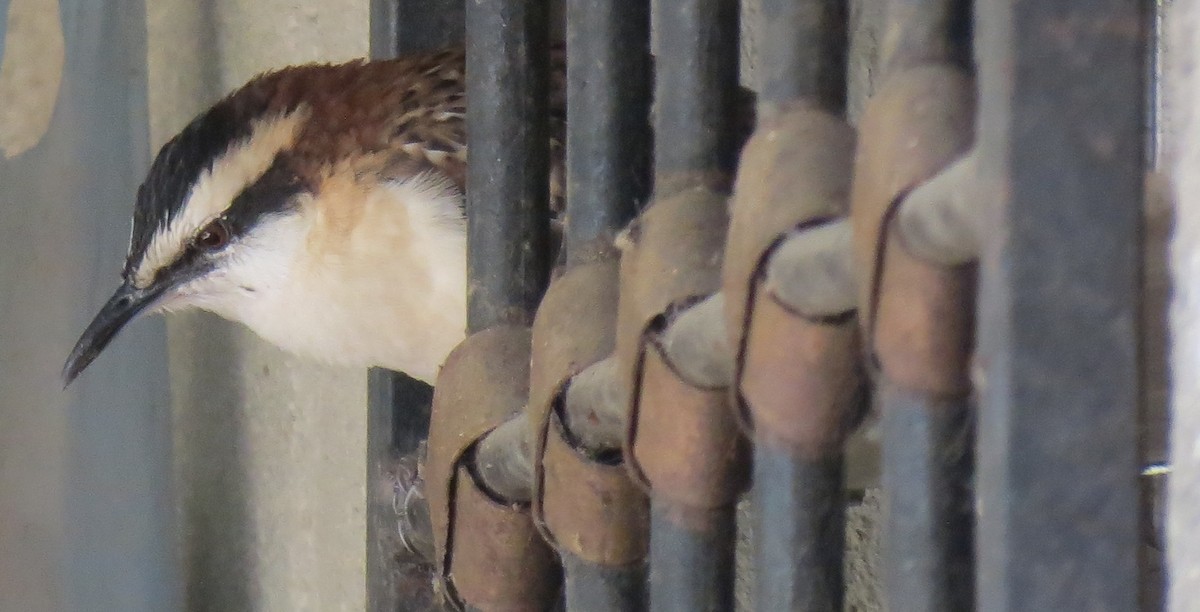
{"x": 214, "y": 220}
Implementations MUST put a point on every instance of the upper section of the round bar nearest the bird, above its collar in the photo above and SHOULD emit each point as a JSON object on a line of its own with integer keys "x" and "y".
{"x": 508, "y": 214}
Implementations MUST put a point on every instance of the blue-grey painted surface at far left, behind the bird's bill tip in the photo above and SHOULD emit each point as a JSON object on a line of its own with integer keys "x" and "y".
{"x": 85, "y": 473}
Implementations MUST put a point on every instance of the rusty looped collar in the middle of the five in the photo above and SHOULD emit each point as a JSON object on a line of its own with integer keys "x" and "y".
{"x": 682, "y": 441}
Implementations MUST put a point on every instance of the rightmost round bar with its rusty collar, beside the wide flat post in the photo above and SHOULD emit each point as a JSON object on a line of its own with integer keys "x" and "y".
{"x": 917, "y": 319}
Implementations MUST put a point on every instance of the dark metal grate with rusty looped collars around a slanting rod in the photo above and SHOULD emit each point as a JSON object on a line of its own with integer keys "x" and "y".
{"x": 725, "y": 310}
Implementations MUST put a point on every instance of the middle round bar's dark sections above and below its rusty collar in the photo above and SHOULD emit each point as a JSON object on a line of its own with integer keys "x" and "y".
{"x": 697, "y": 81}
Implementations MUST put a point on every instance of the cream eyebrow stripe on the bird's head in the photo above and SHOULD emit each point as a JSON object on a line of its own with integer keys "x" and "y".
{"x": 215, "y": 189}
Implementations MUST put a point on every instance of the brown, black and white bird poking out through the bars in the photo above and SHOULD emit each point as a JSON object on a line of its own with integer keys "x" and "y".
{"x": 321, "y": 206}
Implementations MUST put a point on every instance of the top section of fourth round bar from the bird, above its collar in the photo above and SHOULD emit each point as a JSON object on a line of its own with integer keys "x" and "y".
{"x": 803, "y": 53}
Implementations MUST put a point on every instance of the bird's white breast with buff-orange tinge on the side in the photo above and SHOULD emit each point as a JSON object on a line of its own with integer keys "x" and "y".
{"x": 365, "y": 277}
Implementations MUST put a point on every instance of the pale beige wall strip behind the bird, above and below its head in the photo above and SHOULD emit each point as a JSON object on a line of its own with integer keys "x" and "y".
{"x": 271, "y": 451}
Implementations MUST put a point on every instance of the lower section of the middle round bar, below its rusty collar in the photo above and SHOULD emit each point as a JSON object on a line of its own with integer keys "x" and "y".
{"x": 692, "y": 559}
